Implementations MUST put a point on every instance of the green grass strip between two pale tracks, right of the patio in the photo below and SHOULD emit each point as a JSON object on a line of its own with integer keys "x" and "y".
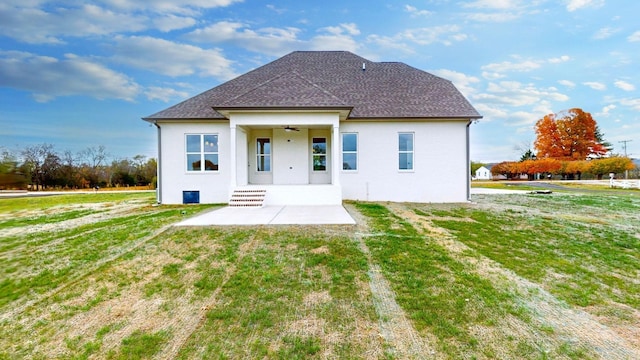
{"x": 442, "y": 295}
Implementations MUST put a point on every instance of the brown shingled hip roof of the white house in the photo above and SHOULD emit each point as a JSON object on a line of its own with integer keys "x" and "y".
{"x": 331, "y": 79}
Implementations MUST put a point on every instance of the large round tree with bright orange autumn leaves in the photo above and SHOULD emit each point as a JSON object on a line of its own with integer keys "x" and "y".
{"x": 571, "y": 135}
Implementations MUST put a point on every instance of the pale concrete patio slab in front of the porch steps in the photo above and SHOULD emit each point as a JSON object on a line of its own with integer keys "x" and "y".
{"x": 273, "y": 215}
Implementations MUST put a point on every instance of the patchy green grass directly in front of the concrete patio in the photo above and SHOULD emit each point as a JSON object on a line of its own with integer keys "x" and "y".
{"x": 262, "y": 312}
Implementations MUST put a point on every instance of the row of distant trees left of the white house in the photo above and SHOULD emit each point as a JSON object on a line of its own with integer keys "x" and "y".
{"x": 41, "y": 167}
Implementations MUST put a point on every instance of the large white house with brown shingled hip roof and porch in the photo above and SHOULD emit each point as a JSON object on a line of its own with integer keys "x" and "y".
{"x": 317, "y": 128}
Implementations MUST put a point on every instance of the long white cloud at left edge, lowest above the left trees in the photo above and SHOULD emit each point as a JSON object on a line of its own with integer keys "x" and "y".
{"x": 48, "y": 77}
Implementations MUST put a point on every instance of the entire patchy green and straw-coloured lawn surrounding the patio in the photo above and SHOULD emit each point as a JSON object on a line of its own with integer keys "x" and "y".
{"x": 506, "y": 276}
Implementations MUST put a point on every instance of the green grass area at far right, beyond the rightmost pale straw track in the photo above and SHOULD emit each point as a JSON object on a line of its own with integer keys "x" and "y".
{"x": 596, "y": 252}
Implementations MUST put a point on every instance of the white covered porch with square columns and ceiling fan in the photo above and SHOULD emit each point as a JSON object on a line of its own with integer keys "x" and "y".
{"x": 293, "y": 157}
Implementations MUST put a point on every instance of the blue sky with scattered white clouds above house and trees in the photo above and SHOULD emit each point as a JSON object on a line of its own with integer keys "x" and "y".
{"x": 77, "y": 75}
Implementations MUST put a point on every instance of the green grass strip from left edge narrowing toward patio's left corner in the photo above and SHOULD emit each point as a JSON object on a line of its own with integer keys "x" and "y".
{"x": 55, "y": 258}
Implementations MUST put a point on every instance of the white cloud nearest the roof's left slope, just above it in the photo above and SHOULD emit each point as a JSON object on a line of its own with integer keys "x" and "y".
{"x": 170, "y": 58}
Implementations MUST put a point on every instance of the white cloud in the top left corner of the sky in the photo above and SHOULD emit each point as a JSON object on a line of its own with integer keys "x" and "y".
{"x": 36, "y": 26}
